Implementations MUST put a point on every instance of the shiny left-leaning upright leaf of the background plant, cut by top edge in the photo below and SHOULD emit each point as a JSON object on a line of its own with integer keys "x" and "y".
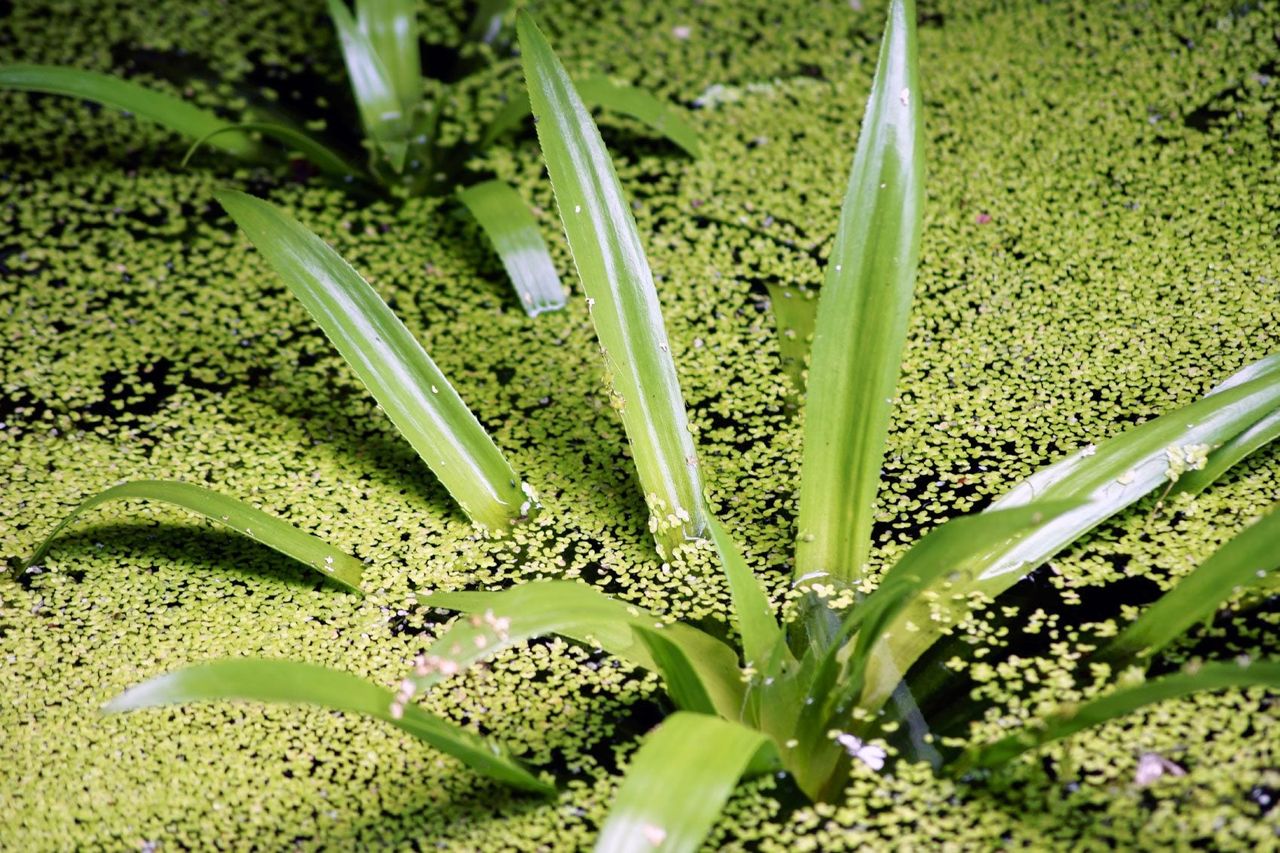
{"x": 381, "y": 108}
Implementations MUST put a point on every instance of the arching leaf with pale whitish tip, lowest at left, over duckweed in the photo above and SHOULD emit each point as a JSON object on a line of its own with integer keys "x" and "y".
{"x": 290, "y": 682}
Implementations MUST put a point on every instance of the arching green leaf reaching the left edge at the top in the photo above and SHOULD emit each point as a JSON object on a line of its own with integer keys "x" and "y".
{"x": 163, "y": 110}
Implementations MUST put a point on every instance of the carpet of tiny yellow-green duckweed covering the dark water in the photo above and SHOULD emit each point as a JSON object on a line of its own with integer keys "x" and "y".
{"x": 1100, "y": 248}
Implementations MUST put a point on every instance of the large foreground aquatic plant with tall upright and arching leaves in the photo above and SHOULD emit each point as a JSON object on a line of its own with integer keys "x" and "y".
{"x": 810, "y": 703}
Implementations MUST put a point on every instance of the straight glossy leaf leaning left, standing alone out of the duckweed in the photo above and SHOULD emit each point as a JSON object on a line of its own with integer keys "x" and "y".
{"x": 403, "y": 378}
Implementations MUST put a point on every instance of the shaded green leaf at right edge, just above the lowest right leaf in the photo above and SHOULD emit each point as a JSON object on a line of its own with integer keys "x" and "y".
{"x": 1242, "y": 563}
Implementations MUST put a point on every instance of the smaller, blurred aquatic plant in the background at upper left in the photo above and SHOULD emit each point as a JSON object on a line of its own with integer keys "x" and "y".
{"x": 401, "y": 116}
